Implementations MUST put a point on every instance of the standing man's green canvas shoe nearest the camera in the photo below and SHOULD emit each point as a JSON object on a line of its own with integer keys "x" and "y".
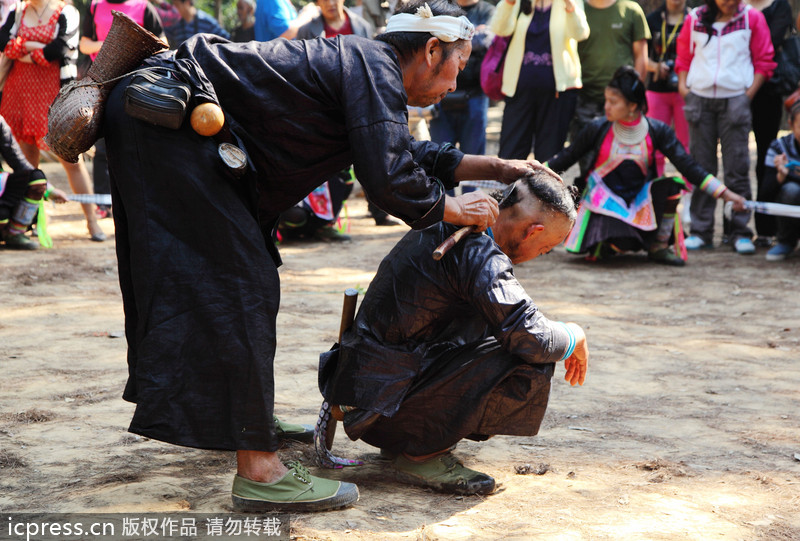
{"x": 296, "y": 492}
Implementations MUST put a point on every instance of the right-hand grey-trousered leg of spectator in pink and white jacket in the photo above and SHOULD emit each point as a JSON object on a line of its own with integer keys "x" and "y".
{"x": 734, "y": 134}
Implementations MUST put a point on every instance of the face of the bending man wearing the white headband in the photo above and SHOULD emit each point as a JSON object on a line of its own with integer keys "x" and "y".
{"x": 441, "y": 76}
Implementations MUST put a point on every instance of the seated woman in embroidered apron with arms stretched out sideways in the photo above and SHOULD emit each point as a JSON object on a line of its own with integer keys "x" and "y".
{"x": 625, "y": 206}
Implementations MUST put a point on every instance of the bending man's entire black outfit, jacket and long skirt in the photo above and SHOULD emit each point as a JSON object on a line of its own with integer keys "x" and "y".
{"x": 197, "y": 267}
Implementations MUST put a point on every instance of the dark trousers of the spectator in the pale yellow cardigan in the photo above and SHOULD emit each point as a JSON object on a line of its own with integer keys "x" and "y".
{"x": 536, "y": 121}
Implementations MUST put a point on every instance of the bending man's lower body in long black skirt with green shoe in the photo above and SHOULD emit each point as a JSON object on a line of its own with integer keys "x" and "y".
{"x": 201, "y": 293}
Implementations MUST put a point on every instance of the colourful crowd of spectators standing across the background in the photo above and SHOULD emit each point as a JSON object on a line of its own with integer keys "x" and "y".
{"x": 560, "y": 60}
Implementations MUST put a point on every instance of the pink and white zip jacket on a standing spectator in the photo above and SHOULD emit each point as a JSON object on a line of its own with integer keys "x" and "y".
{"x": 725, "y": 65}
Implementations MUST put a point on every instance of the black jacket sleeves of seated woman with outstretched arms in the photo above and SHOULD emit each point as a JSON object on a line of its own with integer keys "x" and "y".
{"x": 591, "y": 137}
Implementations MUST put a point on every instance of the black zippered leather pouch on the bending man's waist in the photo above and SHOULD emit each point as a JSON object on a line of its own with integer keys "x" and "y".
{"x": 157, "y": 96}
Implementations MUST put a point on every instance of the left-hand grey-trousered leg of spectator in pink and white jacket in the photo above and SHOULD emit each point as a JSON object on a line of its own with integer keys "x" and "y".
{"x": 703, "y": 134}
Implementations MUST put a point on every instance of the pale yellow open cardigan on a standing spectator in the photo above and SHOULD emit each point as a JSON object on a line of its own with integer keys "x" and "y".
{"x": 566, "y": 30}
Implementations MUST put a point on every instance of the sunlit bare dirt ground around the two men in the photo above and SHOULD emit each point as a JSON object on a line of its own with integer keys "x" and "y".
{"x": 688, "y": 426}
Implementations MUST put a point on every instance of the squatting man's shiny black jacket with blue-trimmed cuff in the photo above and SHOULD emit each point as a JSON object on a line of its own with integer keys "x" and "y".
{"x": 418, "y": 311}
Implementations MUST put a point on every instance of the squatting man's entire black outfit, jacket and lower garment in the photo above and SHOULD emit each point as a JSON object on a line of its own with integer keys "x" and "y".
{"x": 441, "y": 350}
